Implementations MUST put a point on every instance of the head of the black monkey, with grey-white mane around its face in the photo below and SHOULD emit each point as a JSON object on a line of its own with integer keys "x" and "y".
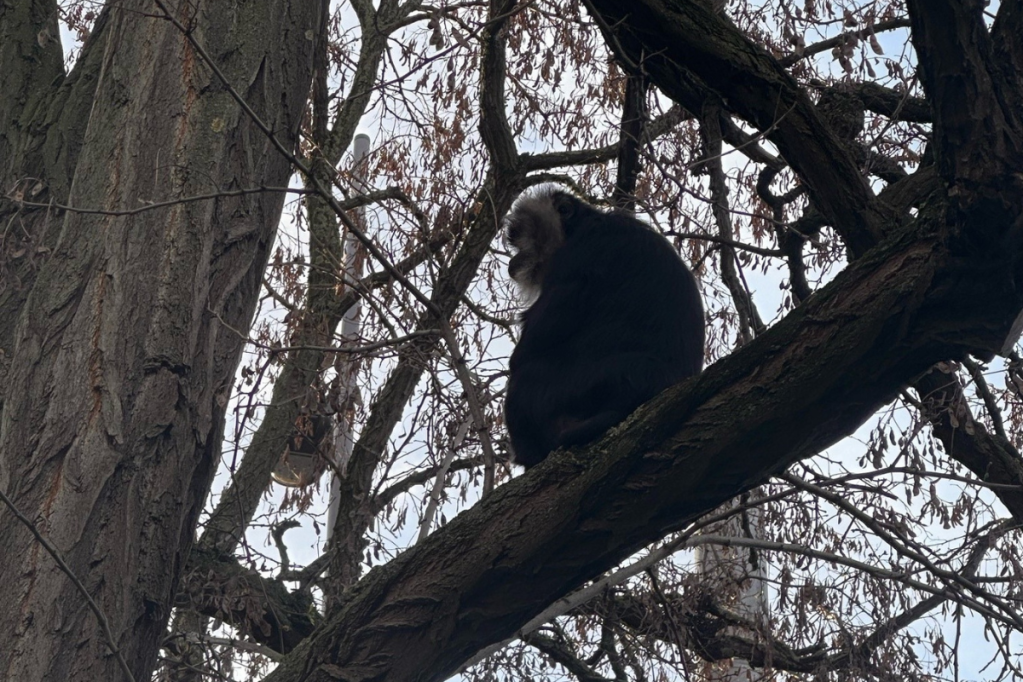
{"x": 537, "y": 228}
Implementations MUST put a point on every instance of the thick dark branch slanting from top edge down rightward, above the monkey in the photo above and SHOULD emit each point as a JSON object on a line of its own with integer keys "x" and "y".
{"x": 684, "y": 48}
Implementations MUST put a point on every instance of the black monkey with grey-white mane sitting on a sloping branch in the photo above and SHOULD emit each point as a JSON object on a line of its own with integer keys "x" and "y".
{"x": 616, "y": 319}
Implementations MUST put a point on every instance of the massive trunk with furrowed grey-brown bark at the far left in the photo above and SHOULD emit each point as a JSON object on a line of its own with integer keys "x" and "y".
{"x": 121, "y": 333}
